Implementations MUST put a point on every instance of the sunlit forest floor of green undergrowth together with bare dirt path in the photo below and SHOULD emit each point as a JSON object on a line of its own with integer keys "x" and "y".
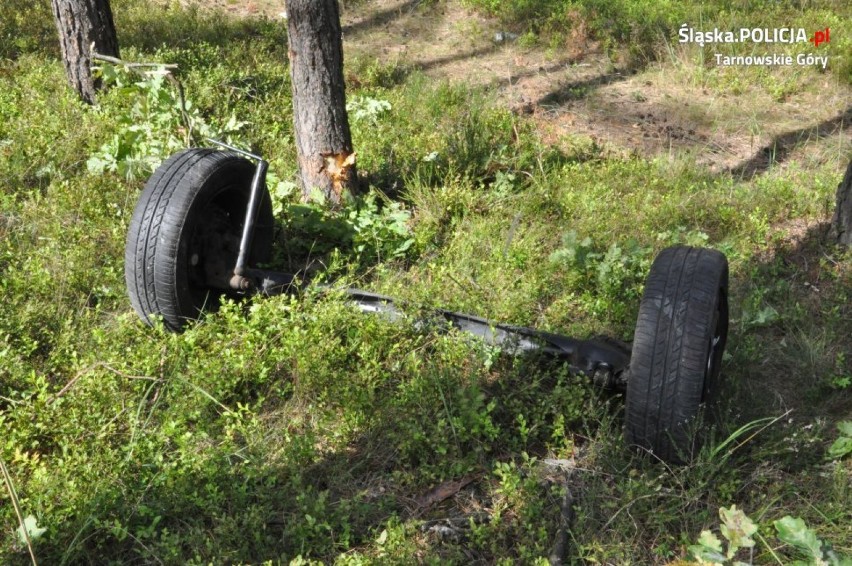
{"x": 519, "y": 172}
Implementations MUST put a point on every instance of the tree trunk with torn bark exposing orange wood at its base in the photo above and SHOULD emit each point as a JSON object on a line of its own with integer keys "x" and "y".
{"x": 323, "y": 139}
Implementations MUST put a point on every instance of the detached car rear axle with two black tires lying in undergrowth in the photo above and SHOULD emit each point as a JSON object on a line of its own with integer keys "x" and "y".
{"x": 205, "y": 218}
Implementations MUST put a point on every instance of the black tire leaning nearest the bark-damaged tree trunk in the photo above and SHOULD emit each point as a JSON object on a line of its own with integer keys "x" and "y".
{"x": 185, "y": 231}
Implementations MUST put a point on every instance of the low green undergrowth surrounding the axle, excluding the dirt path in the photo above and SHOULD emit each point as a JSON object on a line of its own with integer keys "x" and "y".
{"x": 297, "y": 427}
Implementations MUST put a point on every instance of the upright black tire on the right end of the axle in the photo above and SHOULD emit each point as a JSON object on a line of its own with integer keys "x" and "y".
{"x": 677, "y": 351}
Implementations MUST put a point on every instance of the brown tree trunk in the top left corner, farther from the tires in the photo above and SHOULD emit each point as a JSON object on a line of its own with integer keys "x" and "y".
{"x": 82, "y": 23}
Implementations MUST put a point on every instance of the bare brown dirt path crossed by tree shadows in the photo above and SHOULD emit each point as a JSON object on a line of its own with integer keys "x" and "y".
{"x": 669, "y": 109}
